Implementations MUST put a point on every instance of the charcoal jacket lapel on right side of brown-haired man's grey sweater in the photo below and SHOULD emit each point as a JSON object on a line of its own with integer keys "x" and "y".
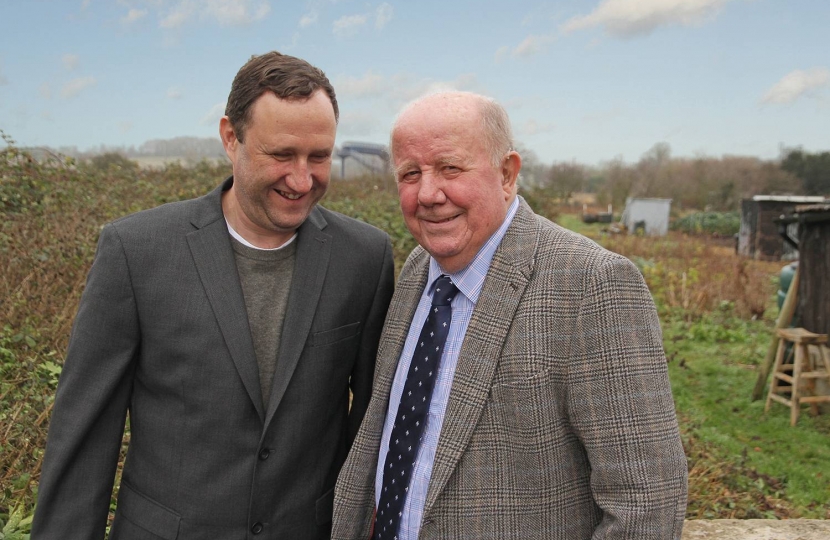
{"x": 313, "y": 251}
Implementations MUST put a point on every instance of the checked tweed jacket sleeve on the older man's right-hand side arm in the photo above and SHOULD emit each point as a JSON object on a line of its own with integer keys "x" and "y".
{"x": 621, "y": 406}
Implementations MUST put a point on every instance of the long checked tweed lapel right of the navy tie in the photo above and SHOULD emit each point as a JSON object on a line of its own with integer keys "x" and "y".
{"x": 509, "y": 273}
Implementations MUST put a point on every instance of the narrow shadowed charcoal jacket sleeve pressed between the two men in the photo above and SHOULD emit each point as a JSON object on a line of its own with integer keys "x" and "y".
{"x": 364, "y": 370}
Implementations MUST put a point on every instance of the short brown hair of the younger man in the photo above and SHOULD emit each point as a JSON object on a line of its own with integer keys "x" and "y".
{"x": 286, "y": 76}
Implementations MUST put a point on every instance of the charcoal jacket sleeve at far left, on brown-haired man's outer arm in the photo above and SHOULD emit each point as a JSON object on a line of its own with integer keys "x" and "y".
{"x": 87, "y": 423}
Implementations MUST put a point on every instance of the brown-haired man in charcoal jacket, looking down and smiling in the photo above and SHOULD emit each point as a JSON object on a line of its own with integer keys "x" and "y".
{"x": 232, "y": 328}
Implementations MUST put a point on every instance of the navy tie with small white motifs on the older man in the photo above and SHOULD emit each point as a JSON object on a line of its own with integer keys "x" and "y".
{"x": 408, "y": 429}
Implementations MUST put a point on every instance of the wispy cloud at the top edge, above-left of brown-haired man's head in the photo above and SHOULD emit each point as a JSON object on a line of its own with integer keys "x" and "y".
{"x": 224, "y": 12}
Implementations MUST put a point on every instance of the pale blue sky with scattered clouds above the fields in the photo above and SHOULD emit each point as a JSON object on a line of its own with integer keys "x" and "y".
{"x": 584, "y": 80}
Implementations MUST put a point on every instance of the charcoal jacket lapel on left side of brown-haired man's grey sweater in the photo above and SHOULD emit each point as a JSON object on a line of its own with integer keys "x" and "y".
{"x": 210, "y": 246}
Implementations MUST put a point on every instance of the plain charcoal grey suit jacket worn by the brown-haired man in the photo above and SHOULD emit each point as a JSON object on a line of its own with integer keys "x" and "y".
{"x": 162, "y": 332}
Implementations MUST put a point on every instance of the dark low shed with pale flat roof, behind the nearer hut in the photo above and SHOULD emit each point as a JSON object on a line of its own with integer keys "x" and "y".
{"x": 758, "y": 237}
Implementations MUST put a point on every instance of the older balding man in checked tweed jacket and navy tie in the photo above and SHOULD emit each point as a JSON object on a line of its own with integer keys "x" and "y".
{"x": 551, "y": 415}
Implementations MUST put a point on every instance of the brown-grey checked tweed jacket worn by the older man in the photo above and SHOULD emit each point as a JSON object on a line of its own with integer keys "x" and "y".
{"x": 560, "y": 422}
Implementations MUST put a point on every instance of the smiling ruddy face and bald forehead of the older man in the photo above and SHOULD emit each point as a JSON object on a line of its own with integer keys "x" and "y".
{"x": 452, "y": 197}
